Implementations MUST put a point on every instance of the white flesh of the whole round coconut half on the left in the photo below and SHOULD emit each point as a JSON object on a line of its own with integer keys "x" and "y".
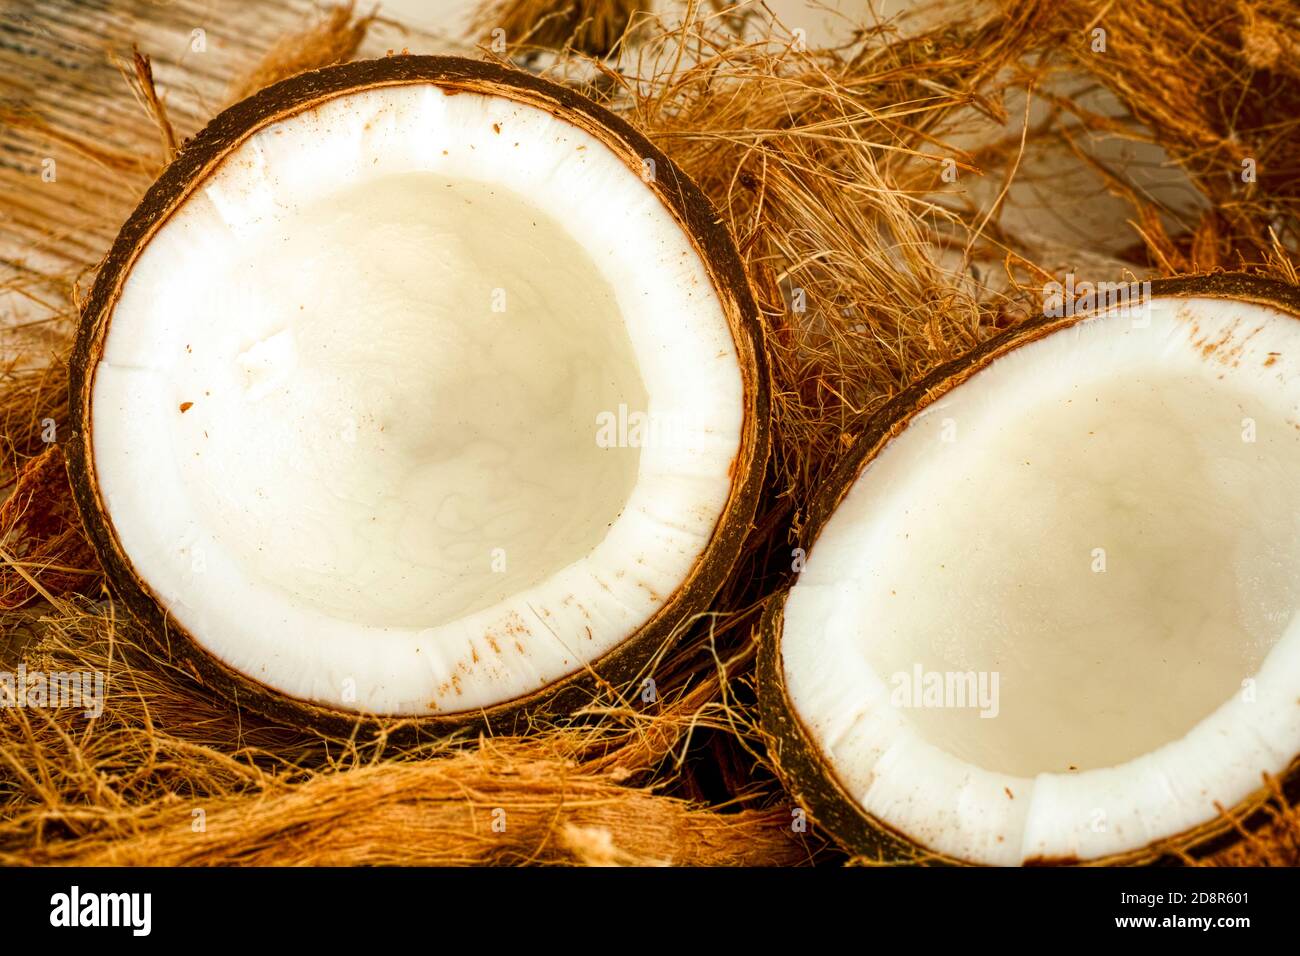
{"x": 418, "y": 405}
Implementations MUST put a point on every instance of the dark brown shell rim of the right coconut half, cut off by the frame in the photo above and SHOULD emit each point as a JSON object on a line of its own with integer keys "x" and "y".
{"x": 799, "y": 762}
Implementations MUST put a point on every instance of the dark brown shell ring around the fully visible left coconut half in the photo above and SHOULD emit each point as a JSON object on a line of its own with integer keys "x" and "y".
{"x": 201, "y": 158}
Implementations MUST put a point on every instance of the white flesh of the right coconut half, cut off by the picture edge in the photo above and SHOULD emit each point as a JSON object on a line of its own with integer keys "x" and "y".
{"x": 1107, "y": 522}
